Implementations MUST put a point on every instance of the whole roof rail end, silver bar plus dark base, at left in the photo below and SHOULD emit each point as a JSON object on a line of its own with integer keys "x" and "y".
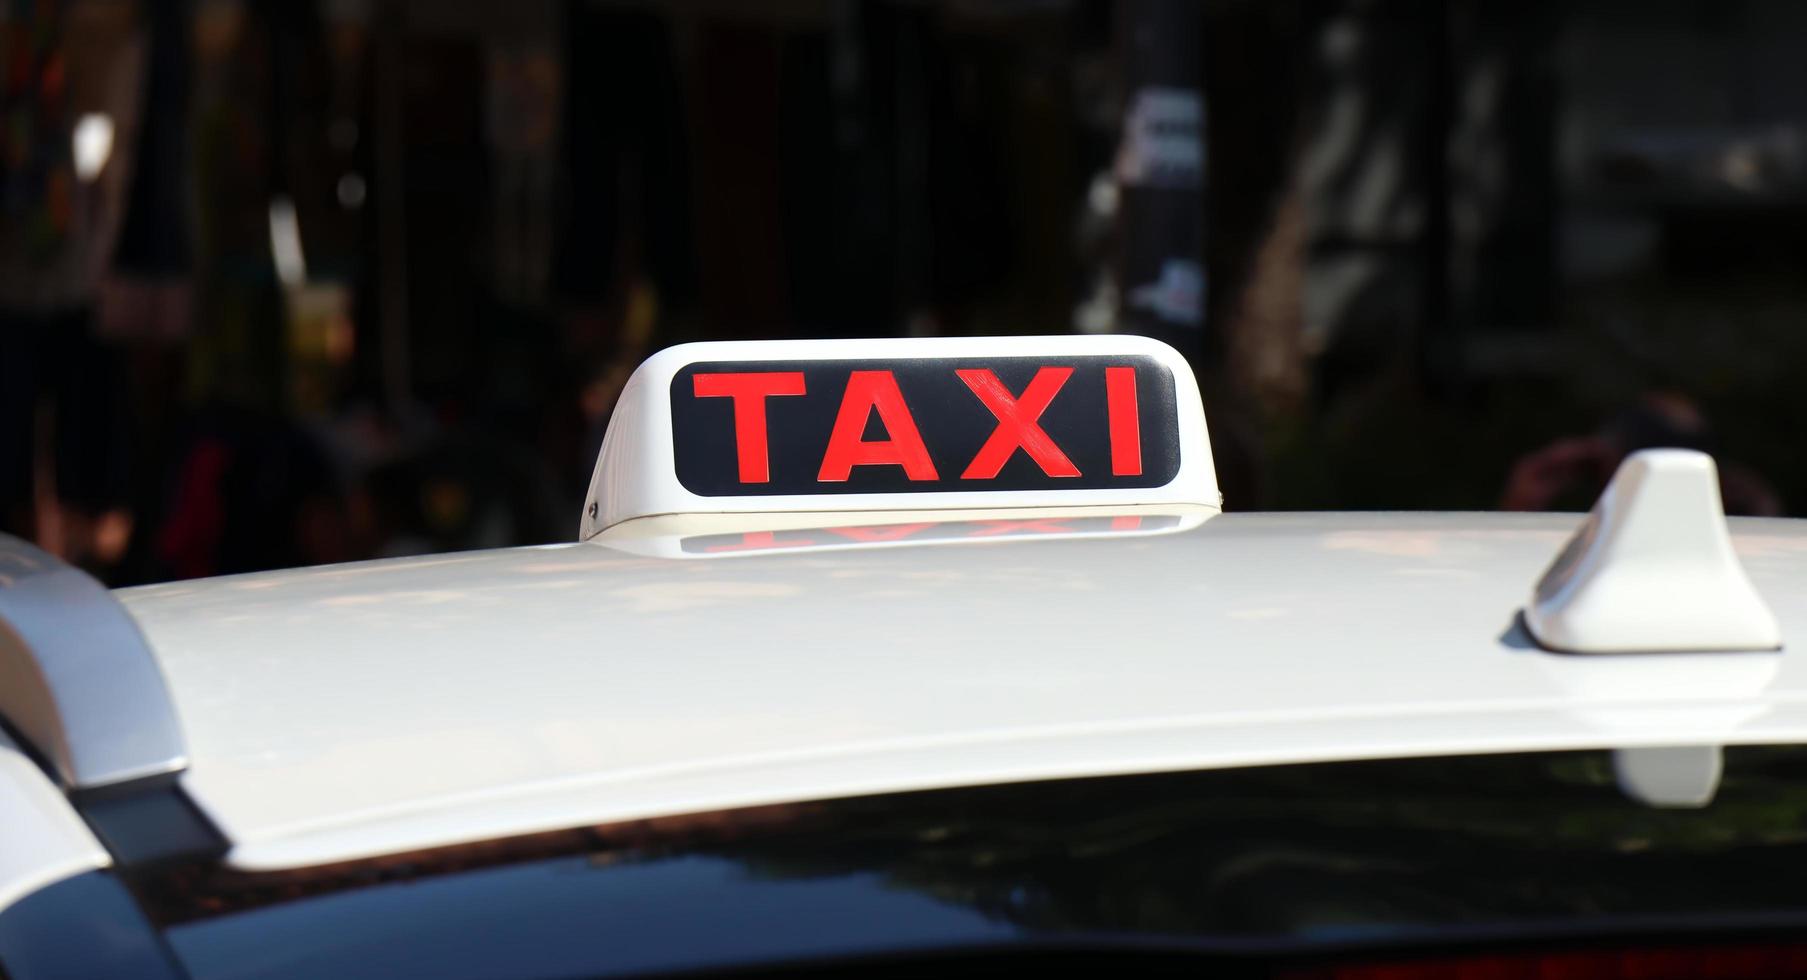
{"x": 82, "y": 688}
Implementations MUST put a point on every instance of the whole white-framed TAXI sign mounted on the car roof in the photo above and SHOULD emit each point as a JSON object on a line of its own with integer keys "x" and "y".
{"x": 919, "y": 424}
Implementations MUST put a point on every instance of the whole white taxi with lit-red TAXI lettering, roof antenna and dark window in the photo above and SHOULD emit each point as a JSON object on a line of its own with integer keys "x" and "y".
{"x": 930, "y": 657}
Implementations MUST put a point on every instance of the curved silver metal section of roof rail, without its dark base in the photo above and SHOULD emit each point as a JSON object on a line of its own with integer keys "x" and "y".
{"x": 79, "y": 683}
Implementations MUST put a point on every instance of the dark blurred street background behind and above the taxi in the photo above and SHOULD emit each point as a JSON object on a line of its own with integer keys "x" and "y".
{"x": 292, "y": 283}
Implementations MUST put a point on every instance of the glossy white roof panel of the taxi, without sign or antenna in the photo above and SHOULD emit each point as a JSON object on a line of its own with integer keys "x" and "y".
{"x": 380, "y": 708}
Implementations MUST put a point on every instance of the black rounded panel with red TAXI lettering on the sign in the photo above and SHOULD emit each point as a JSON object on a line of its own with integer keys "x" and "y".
{"x": 924, "y": 426}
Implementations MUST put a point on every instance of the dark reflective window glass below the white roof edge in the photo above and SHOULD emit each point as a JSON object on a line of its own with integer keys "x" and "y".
{"x": 1271, "y": 863}
